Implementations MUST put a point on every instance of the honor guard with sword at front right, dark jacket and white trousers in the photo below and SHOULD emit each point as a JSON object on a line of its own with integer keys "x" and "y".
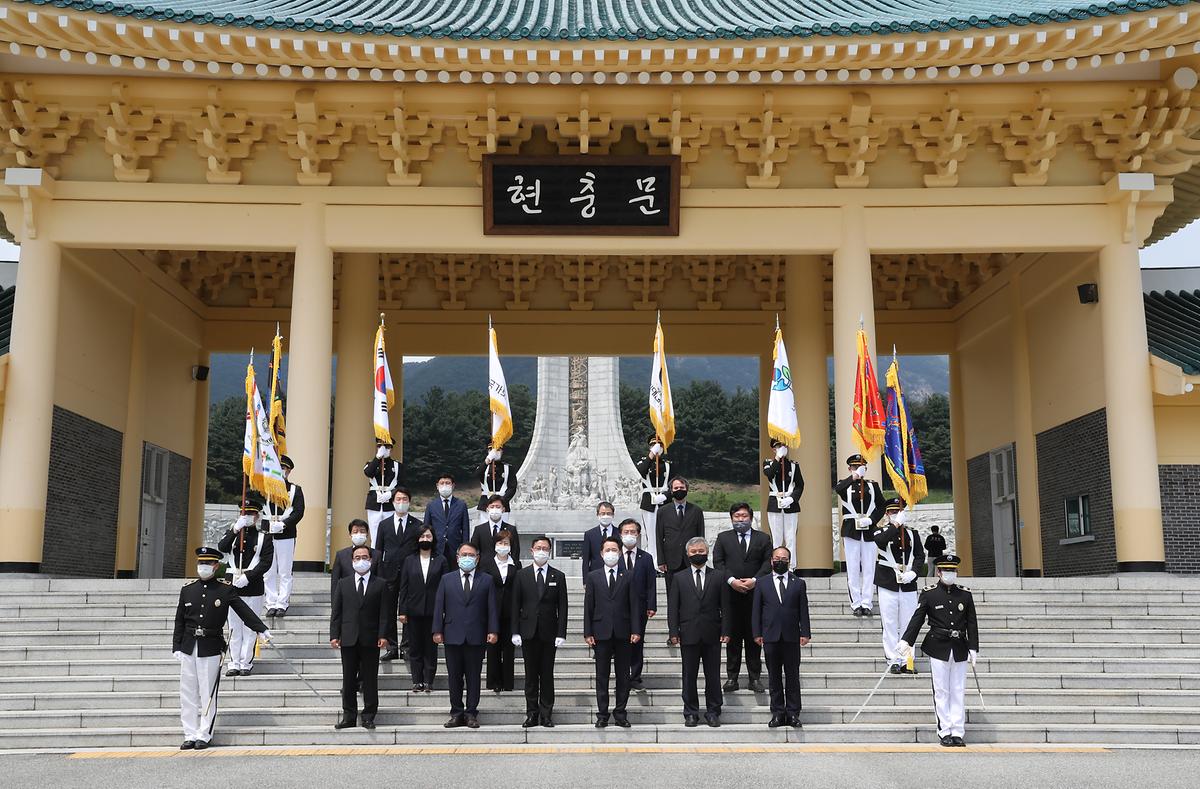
{"x": 952, "y": 645}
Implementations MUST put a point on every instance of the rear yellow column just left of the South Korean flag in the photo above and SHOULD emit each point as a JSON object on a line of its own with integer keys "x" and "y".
{"x": 358, "y": 316}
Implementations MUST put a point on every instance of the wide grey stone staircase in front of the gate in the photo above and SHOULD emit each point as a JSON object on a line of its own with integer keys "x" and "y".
{"x": 87, "y": 664}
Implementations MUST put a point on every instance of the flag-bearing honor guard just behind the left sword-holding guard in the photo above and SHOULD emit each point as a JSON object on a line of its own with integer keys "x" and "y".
{"x": 249, "y": 553}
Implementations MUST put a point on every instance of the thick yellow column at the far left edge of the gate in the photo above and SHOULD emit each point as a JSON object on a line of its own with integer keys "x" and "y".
{"x": 29, "y": 406}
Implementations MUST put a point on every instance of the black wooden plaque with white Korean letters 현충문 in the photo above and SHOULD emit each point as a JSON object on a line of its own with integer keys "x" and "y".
{"x": 581, "y": 195}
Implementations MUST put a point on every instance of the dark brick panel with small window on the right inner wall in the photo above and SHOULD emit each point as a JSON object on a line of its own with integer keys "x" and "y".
{"x": 1073, "y": 460}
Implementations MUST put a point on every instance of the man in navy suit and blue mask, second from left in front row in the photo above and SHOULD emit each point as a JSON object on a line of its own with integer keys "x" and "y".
{"x": 466, "y": 618}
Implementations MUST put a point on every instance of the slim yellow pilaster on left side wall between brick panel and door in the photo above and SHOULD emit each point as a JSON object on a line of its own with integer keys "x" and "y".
{"x": 129, "y": 511}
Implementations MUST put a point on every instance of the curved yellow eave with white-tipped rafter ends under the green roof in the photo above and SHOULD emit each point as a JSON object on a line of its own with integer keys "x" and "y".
{"x": 1029, "y": 43}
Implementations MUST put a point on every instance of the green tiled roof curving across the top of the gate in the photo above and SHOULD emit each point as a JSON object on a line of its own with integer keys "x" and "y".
{"x": 615, "y": 20}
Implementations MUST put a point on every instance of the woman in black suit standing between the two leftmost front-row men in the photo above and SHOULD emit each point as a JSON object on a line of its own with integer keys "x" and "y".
{"x": 419, "y": 580}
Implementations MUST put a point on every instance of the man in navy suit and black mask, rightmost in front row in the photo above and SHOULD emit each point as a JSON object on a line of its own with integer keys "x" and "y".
{"x": 781, "y": 625}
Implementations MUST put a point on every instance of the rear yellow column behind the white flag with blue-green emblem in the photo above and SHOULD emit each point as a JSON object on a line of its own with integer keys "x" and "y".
{"x": 805, "y": 334}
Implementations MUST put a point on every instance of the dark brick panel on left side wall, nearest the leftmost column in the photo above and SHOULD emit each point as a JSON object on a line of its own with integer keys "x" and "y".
{"x": 82, "y": 497}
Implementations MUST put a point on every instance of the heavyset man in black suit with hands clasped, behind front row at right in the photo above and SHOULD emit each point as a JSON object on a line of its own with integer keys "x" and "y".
{"x": 745, "y": 555}
